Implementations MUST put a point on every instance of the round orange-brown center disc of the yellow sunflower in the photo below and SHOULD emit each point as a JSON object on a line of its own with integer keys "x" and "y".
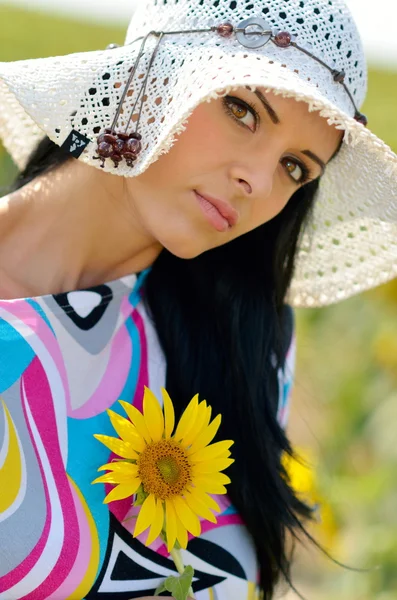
{"x": 164, "y": 469}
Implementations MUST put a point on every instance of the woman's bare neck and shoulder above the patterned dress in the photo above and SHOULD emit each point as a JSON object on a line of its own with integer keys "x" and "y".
{"x": 72, "y": 228}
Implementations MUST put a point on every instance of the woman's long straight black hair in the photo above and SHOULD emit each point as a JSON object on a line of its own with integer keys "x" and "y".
{"x": 223, "y": 325}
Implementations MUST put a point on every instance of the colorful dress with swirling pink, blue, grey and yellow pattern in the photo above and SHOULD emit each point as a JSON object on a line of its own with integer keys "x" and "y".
{"x": 64, "y": 360}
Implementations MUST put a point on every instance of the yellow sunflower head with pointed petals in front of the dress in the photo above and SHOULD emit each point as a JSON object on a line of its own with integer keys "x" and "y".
{"x": 173, "y": 473}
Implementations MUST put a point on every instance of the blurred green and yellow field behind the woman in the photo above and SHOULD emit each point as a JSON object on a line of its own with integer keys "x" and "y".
{"x": 344, "y": 414}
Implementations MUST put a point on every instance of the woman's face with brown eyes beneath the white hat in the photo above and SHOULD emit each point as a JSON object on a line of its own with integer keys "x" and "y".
{"x": 247, "y": 154}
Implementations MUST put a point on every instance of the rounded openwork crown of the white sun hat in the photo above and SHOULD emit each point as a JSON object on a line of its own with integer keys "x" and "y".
{"x": 324, "y": 27}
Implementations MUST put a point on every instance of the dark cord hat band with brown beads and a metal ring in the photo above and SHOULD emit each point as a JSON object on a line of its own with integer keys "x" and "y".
{"x": 251, "y": 33}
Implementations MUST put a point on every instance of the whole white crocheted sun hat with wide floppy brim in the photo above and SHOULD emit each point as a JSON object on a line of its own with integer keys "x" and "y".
{"x": 309, "y": 50}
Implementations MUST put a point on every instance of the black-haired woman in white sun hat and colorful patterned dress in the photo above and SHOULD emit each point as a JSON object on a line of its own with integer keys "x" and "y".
{"x": 176, "y": 195}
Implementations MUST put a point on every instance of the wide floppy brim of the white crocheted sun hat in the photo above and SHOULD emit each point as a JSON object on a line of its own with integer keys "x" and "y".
{"x": 350, "y": 244}
